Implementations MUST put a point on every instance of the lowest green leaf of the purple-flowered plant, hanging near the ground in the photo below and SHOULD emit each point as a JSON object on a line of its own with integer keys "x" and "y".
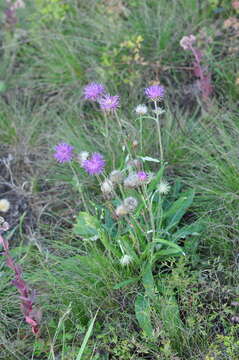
{"x": 142, "y": 312}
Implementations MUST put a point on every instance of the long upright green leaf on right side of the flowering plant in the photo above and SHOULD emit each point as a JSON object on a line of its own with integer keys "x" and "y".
{"x": 175, "y": 213}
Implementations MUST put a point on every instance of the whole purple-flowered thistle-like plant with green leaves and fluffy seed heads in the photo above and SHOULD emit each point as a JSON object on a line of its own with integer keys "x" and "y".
{"x": 140, "y": 222}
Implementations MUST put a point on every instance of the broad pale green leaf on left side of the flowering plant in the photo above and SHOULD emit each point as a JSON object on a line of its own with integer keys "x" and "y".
{"x": 87, "y": 225}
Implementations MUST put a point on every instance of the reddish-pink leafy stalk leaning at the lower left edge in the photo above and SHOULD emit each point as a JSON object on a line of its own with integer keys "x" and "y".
{"x": 27, "y": 297}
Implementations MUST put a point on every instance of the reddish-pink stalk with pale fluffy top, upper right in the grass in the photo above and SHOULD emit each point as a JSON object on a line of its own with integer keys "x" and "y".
{"x": 200, "y": 71}
